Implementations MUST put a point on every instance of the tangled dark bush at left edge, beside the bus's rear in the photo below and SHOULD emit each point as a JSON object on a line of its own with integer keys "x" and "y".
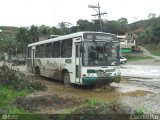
{"x": 11, "y": 76}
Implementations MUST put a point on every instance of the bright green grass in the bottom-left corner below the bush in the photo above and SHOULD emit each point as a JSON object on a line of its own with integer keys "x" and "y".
{"x": 7, "y": 97}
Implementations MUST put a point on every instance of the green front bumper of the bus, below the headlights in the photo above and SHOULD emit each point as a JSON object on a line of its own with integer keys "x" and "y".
{"x": 96, "y": 80}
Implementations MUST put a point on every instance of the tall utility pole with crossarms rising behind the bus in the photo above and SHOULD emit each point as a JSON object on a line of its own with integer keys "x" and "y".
{"x": 95, "y": 7}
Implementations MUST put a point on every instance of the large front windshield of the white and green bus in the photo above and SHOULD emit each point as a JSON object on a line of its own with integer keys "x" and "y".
{"x": 100, "y": 53}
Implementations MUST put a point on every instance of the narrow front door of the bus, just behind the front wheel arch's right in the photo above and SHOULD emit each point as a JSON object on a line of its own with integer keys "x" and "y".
{"x": 77, "y": 63}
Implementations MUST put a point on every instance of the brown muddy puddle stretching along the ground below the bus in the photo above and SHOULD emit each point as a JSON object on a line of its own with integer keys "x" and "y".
{"x": 108, "y": 93}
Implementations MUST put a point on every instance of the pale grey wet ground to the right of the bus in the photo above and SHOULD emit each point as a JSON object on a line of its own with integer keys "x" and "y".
{"x": 143, "y": 76}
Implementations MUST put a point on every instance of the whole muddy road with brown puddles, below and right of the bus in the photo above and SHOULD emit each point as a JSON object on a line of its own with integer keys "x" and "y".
{"x": 139, "y": 88}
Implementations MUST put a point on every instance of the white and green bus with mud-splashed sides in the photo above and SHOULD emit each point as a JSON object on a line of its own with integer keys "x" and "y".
{"x": 83, "y": 58}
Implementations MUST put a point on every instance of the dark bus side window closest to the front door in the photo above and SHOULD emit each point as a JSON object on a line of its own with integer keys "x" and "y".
{"x": 66, "y": 48}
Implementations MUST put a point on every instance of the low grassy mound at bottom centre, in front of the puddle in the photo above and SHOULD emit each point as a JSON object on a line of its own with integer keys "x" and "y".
{"x": 97, "y": 109}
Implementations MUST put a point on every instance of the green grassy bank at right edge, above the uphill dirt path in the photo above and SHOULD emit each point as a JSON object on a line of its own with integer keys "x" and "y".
{"x": 153, "y": 49}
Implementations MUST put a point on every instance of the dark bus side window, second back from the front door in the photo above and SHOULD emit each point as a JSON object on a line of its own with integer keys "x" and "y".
{"x": 56, "y": 49}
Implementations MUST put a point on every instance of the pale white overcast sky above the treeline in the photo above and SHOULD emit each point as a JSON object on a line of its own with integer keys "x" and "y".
{"x": 51, "y": 12}
